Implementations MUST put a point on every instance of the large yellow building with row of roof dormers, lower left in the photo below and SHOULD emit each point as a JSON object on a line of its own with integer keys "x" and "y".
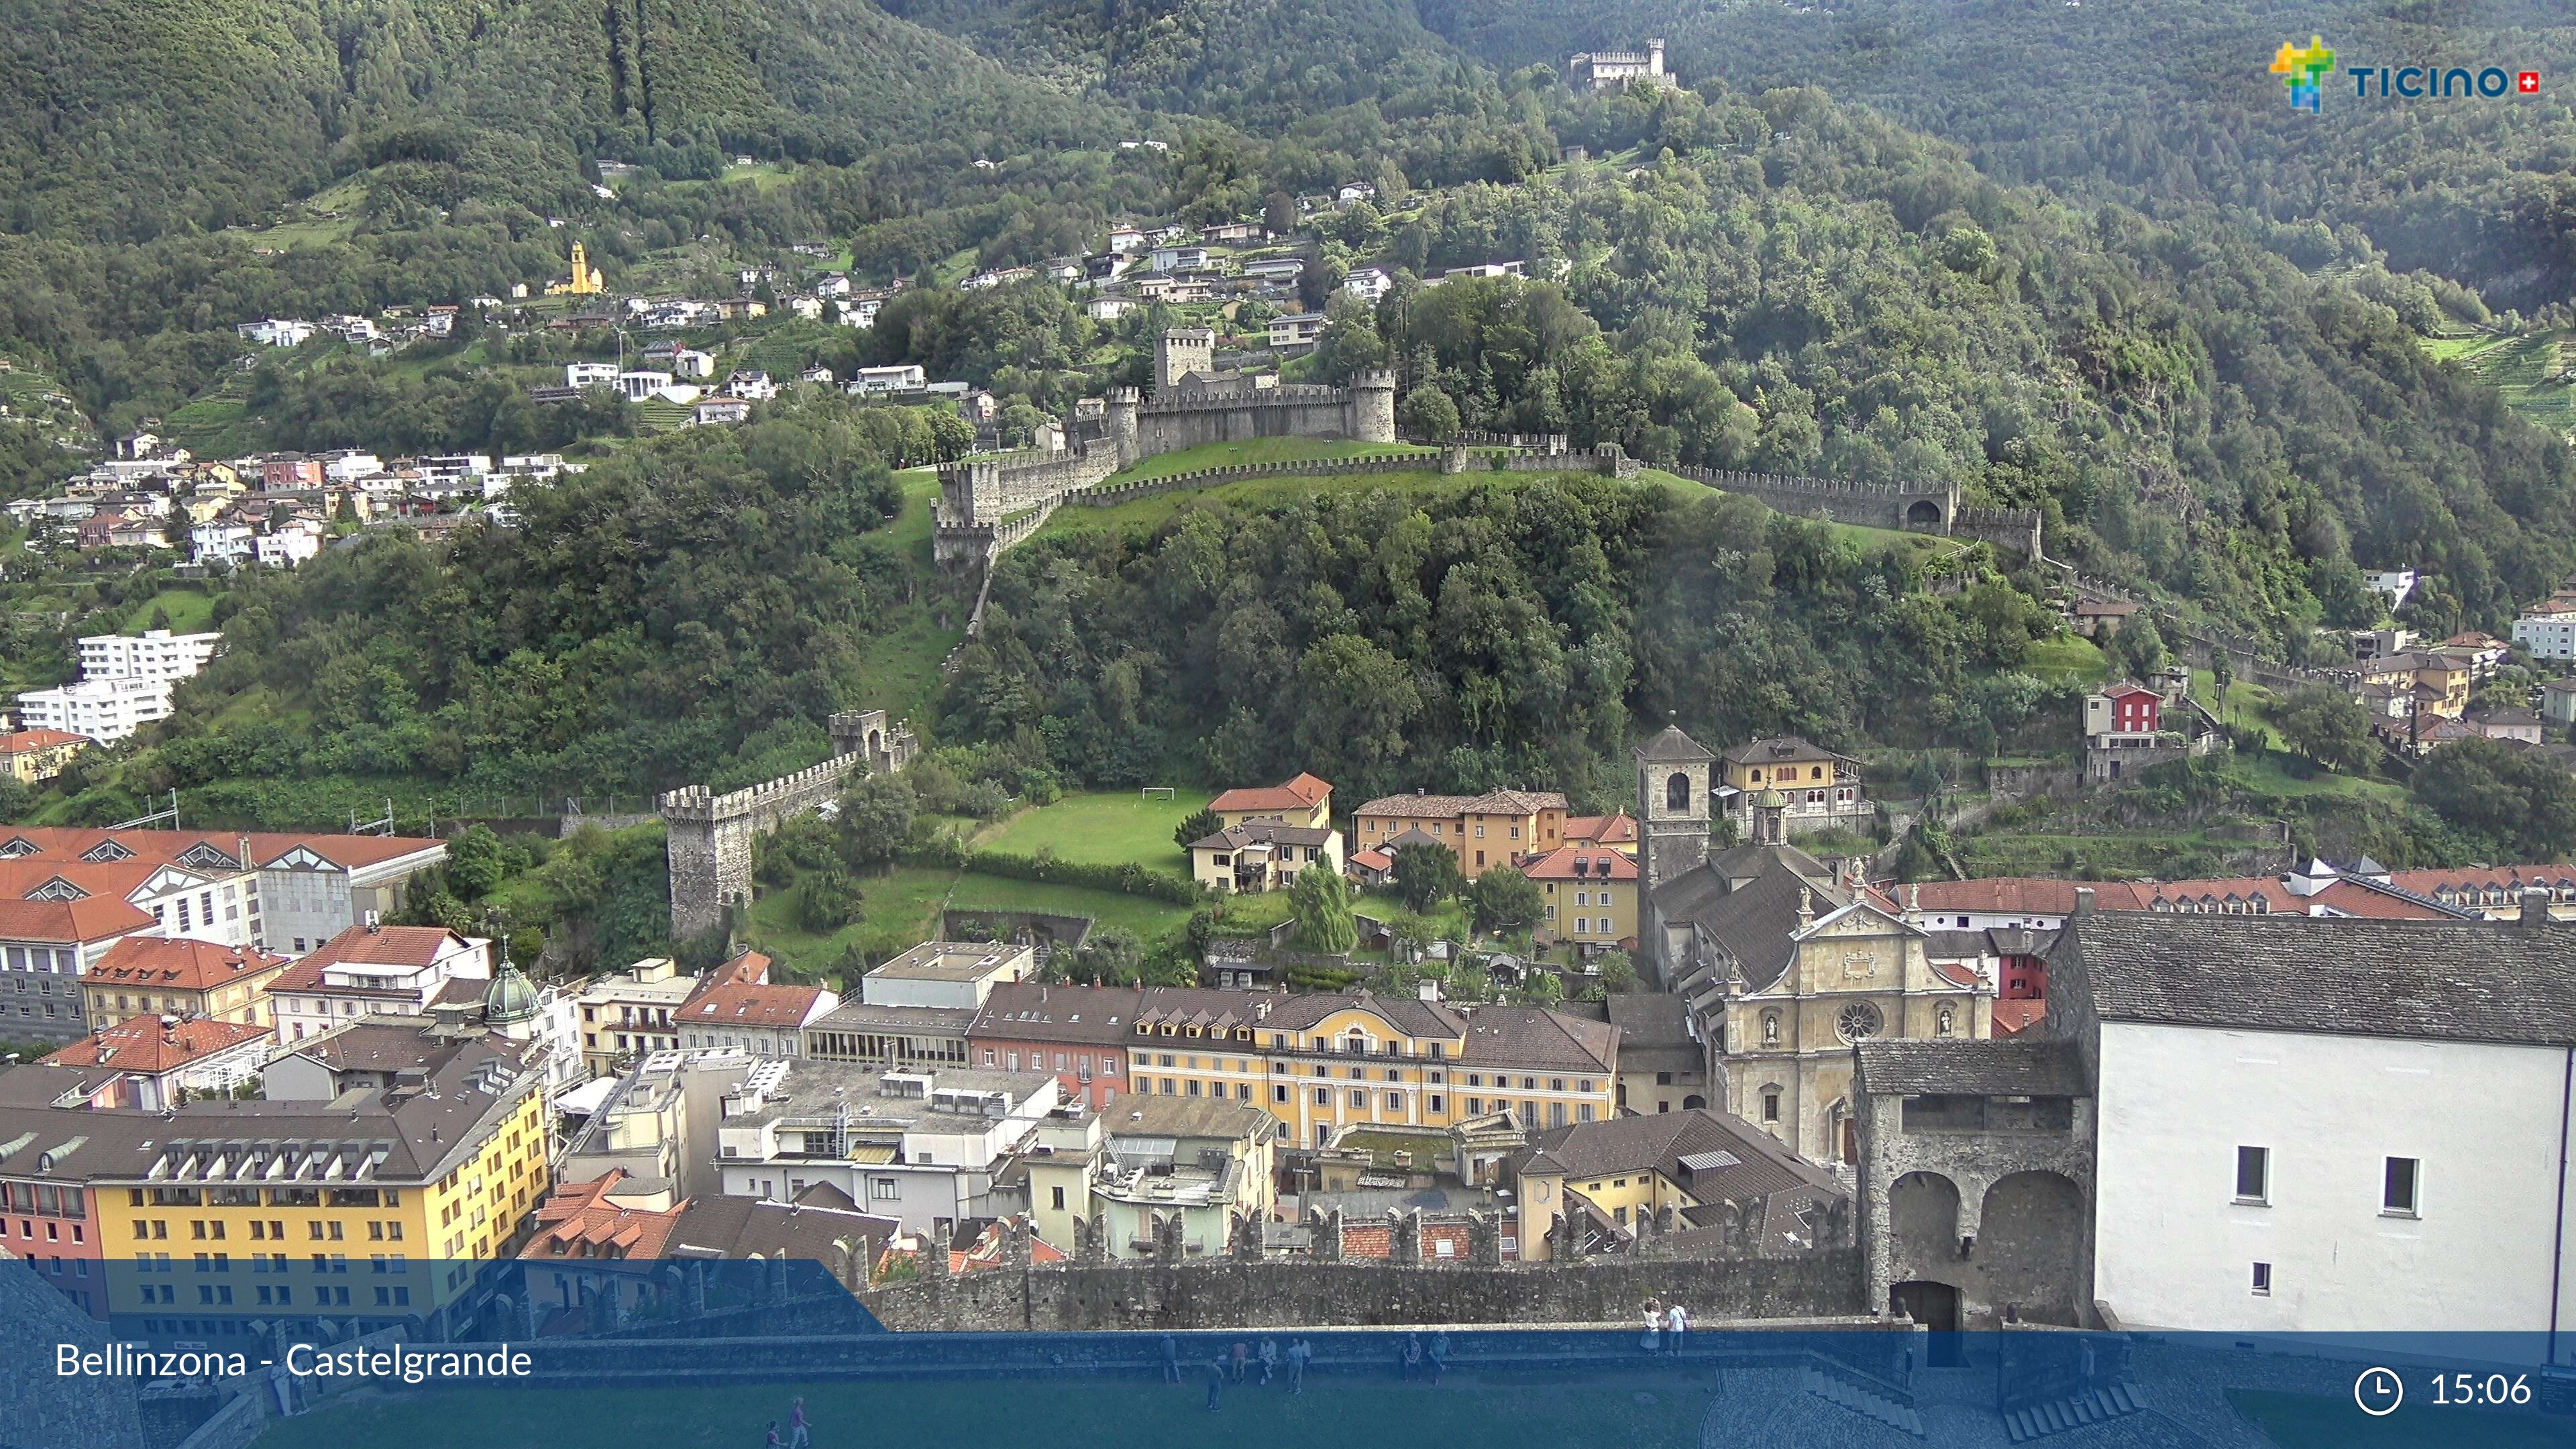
{"x": 367, "y": 1208}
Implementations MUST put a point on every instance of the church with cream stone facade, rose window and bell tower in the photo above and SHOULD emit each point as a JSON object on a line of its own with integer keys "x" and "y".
{"x": 1781, "y": 960}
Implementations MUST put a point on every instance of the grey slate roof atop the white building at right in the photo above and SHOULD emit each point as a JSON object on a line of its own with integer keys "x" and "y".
{"x": 2446, "y": 981}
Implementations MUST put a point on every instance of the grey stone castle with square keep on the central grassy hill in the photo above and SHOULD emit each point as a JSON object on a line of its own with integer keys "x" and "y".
{"x": 990, "y": 504}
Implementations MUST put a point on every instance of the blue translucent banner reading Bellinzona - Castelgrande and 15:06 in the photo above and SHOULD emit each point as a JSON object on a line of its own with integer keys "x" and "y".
{"x": 614, "y": 1355}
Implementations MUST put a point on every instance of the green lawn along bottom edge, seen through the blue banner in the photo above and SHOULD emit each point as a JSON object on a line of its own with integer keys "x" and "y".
{"x": 1647, "y": 1412}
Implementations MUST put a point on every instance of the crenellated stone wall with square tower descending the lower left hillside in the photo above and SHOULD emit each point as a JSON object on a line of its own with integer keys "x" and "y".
{"x": 710, "y": 837}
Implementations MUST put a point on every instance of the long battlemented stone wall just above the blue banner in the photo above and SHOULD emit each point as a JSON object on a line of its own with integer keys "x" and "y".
{"x": 1323, "y": 1293}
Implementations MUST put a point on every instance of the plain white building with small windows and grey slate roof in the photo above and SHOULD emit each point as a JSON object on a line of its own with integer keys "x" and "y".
{"x": 2327, "y": 1125}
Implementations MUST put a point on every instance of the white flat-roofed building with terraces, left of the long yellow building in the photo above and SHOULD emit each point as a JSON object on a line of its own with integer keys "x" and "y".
{"x": 921, "y": 1149}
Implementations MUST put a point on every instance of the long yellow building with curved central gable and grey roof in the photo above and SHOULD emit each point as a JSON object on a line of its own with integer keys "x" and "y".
{"x": 1331, "y": 1061}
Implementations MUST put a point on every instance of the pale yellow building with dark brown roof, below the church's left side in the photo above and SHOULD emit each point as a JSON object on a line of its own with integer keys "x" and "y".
{"x": 1678, "y": 1172}
